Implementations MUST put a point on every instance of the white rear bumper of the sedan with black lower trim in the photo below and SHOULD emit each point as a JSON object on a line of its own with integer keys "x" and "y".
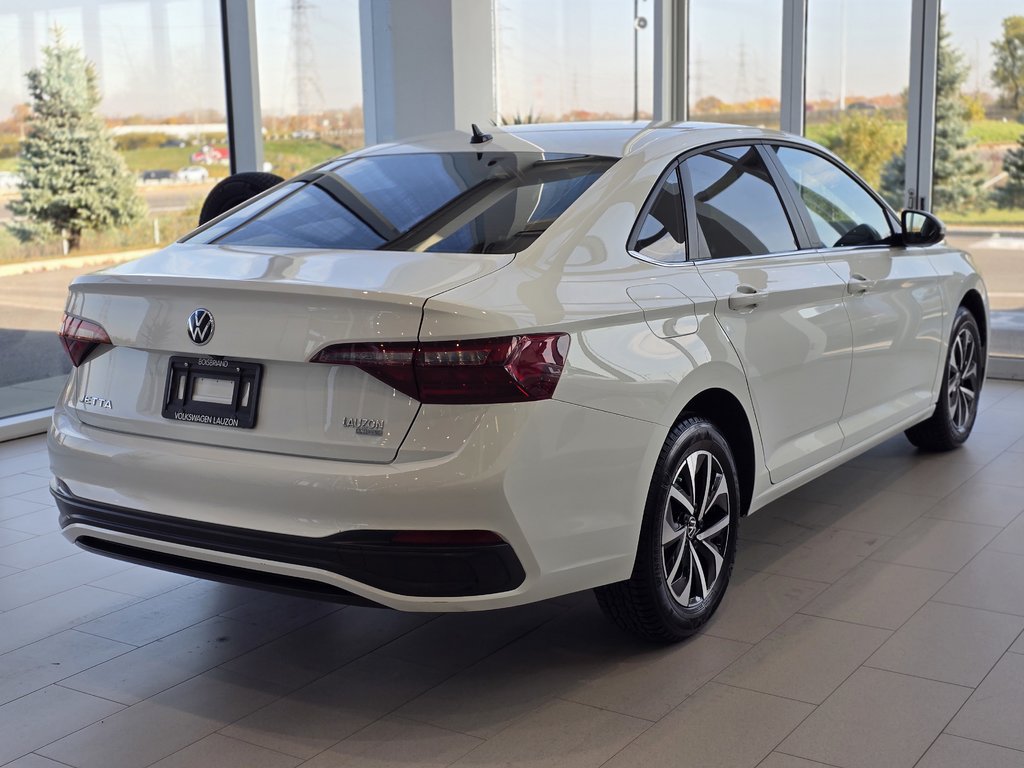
{"x": 562, "y": 485}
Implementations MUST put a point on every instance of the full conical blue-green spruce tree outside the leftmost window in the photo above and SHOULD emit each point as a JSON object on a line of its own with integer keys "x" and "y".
{"x": 73, "y": 179}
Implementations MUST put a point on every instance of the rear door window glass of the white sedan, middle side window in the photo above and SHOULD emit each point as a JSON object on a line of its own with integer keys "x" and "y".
{"x": 739, "y": 209}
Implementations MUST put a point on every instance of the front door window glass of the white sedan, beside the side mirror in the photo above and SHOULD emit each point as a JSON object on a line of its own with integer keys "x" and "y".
{"x": 843, "y": 212}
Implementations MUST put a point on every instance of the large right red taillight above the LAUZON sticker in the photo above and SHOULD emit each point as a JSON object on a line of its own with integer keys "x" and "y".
{"x": 514, "y": 369}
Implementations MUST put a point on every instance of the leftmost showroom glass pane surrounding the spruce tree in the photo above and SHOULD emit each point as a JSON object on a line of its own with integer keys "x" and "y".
{"x": 161, "y": 78}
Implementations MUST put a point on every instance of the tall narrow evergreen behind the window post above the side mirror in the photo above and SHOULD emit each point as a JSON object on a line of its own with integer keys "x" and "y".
{"x": 957, "y": 182}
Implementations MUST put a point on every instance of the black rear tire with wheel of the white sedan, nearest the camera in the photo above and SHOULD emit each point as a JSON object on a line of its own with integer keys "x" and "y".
{"x": 647, "y": 605}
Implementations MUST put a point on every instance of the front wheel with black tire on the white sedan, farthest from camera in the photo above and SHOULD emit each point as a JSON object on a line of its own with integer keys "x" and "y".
{"x": 957, "y": 410}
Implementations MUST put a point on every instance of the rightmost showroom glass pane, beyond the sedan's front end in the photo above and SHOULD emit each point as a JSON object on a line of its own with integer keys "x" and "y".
{"x": 978, "y": 190}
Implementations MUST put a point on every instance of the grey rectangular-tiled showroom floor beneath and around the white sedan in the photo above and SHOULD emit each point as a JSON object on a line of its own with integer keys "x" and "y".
{"x": 875, "y": 620}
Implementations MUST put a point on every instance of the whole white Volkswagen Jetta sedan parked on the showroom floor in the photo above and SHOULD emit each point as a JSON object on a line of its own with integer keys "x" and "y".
{"x": 459, "y": 374}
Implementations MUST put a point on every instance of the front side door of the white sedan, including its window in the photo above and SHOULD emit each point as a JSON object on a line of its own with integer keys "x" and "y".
{"x": 892, "y": 294}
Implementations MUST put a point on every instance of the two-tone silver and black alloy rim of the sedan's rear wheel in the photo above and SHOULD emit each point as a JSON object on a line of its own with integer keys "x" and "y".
{"x": 696, "y": 529}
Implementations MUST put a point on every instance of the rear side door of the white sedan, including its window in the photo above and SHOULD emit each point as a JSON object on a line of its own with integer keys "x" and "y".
{"x": 781, "y": 306}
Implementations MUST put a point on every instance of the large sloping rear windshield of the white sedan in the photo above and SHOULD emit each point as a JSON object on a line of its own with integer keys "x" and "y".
{"x": 451, "y": 202}
